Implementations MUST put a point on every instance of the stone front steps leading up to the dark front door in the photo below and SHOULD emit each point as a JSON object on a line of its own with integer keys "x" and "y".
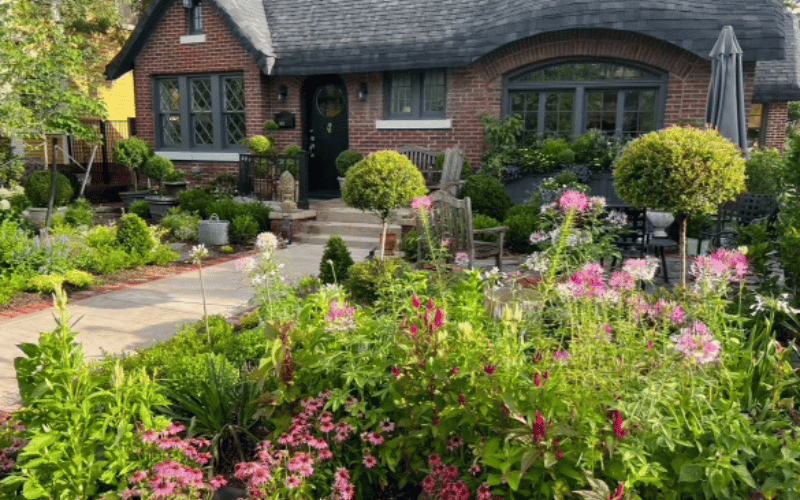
{"x": 358, "y": 229}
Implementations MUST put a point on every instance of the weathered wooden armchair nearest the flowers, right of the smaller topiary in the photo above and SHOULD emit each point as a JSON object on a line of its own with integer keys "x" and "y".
{"x": 451, "y": 218}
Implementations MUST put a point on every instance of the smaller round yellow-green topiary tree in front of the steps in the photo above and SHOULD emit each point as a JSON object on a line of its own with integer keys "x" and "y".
{"x": 381, "y": 183}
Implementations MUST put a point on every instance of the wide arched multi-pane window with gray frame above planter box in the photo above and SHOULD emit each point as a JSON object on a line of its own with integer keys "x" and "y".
{"x": 568, "y": 98}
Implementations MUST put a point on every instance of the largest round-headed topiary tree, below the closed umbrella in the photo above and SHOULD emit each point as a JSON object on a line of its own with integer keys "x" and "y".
{"x": 683, "y": 170}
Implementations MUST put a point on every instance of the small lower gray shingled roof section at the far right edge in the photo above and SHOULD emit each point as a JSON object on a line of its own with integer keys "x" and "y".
{"x": 779, "y": 81}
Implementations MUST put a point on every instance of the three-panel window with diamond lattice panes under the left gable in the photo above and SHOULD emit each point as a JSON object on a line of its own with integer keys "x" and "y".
{"x": 200, "y": 112}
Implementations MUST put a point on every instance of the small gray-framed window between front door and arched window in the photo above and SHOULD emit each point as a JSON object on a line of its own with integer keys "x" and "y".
{"x": 416, "y": 94}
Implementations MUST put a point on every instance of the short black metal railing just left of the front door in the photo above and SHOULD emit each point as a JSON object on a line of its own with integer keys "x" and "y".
{"x": 259, "y": 176}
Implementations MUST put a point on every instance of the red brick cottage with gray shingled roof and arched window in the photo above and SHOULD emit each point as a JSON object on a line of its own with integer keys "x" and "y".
{"x": 377, "y": 74}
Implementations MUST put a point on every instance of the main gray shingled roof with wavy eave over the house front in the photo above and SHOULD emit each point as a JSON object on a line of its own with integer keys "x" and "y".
{"x": 350, "y": 36}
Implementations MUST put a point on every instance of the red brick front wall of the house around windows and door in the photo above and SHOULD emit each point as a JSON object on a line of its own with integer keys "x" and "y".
{"x": 472, "y": 91}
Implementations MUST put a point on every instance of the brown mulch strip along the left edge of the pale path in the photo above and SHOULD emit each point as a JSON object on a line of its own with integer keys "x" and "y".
{"x": 30, "y": 302}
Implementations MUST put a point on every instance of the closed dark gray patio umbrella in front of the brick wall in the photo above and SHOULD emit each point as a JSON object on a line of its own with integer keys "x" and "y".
{"x": 726, "y": 111}
